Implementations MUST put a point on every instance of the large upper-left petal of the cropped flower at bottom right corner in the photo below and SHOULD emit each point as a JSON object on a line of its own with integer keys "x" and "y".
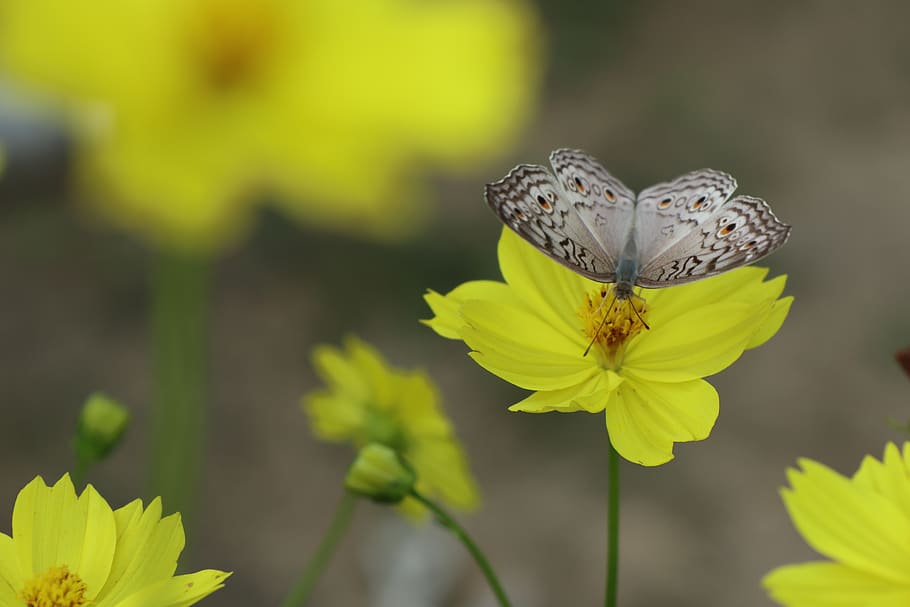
{"x": 853, "y": 525}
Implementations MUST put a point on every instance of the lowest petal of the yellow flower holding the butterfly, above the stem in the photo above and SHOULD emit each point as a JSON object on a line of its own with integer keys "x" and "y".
{"x": 645, "y": 418}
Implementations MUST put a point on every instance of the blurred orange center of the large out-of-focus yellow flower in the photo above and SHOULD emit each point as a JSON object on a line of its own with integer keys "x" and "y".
{"x": 232, "y": 41}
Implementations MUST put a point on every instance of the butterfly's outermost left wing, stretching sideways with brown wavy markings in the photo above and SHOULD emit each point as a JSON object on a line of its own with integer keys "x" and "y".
{"x": 531, "y": 203}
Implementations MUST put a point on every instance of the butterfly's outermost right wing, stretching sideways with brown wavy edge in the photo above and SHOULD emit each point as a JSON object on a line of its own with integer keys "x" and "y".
{"x": 743, "y": 231}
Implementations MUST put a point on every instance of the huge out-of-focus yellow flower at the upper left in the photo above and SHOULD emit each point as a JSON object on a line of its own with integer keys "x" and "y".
{"x": 193, "y": 108}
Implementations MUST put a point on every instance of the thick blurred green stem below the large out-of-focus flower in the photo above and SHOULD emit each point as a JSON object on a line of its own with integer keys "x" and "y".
{"x": 179, "y": 319}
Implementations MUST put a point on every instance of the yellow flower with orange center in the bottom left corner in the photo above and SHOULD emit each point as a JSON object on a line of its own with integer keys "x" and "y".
{"x": 69, "y": 551}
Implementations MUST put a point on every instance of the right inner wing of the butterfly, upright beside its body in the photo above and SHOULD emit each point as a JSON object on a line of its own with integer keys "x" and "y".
{"x": 667, "y": 212}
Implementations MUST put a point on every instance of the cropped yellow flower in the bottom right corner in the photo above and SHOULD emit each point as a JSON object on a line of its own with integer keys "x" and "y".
{"x": 862, "y": 524}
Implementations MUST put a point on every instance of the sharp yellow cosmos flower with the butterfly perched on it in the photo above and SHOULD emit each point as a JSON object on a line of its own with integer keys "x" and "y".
{"x": 533, "y": 330}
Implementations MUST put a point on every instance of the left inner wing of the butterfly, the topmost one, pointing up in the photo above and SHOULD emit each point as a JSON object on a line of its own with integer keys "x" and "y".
{"x": 602, "y": 202}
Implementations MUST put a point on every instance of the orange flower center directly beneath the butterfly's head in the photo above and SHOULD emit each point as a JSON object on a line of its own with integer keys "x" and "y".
{"x": 611, "y": 323}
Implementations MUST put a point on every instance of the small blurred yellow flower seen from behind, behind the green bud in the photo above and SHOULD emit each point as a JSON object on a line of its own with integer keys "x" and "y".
{"x": 367, "y": 401}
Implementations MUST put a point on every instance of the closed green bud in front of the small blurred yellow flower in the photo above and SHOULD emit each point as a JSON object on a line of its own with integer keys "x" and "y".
{"x": 380, "y": 474}
